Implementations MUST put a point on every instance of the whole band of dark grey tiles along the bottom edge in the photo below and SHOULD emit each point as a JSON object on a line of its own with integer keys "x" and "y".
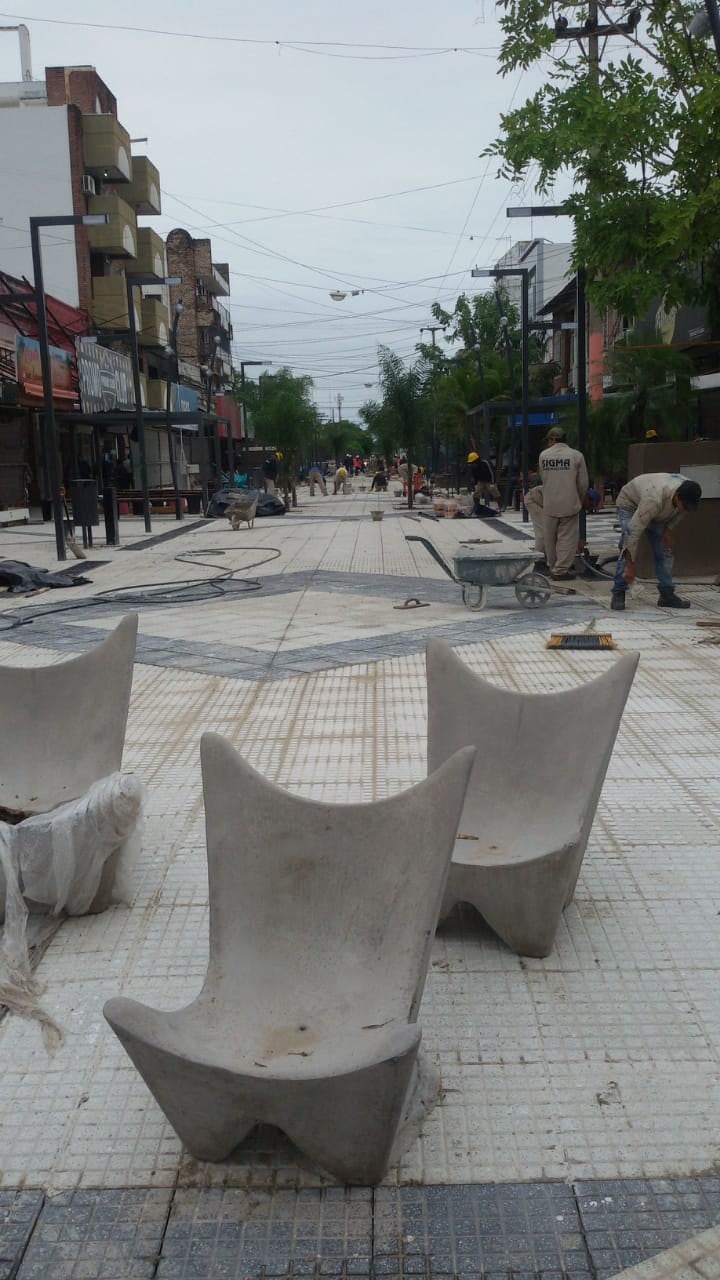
{"x": 507, "y": 1232}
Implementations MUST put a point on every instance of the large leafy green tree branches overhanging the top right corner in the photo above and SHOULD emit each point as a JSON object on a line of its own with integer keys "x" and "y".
{"x": 636, "y": 135}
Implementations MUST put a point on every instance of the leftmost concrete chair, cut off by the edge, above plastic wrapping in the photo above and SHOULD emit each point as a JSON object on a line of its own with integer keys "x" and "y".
{"x": 63, "y": 730}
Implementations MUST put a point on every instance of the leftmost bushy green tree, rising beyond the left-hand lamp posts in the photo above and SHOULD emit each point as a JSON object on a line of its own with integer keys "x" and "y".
{"x": 285, "y": 418}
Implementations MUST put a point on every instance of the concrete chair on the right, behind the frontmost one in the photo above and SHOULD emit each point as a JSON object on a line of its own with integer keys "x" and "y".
{"x": 537, "y": 778}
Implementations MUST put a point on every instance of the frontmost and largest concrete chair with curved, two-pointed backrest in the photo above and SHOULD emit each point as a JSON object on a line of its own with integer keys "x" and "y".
{"x": 322, "y": 920}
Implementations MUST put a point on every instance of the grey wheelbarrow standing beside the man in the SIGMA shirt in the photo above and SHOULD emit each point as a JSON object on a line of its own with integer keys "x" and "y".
{"x": 476, "y": 572}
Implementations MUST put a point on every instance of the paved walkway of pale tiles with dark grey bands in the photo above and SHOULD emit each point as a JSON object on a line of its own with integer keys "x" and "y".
{"x": 578, "y": 1131}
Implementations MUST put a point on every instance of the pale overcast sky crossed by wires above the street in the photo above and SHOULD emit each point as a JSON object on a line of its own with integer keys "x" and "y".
{"x": 315, "y": 159}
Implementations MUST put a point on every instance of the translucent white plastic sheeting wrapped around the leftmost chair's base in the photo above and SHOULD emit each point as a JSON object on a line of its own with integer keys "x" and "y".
{"x": 57, "y": 860}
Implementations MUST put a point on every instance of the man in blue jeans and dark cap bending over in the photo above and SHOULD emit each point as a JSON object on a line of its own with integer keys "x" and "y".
{"x": 653, "y": 505}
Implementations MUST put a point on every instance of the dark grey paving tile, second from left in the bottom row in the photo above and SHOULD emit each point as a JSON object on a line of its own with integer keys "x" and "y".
{"x": 98, "y": 1236}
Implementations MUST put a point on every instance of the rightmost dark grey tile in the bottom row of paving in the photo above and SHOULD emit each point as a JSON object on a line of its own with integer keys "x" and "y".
{"x": 630, "y": 1220}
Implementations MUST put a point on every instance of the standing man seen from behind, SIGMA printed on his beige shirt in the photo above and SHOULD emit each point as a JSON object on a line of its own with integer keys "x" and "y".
{"x": 564, "y": 484}
